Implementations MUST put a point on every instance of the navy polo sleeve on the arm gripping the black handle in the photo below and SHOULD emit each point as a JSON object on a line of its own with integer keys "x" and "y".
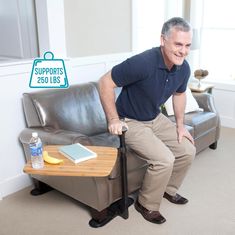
{"x": 129, "y": 71}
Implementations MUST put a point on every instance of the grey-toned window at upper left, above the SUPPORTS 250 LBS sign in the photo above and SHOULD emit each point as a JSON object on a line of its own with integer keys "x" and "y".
{"x": 18, "y": 30}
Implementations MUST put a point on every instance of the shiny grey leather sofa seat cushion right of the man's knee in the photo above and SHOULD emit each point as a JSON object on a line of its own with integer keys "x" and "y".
{"x": 202, "y": 122}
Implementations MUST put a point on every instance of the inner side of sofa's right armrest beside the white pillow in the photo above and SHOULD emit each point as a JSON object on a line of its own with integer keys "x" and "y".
{"x": 205, "y": 101}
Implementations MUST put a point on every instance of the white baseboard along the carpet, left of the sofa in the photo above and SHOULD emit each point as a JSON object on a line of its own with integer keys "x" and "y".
{"x": 14, "y": 184}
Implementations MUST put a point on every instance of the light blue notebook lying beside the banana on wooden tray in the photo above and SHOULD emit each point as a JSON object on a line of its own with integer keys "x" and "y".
{"x": 77, "y": 152}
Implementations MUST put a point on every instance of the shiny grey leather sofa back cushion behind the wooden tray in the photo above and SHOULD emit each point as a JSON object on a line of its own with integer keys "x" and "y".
{"x": 77, "y": 108}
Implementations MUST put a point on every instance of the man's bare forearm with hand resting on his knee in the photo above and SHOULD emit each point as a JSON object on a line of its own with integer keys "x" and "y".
{"x": 179, "y": 103}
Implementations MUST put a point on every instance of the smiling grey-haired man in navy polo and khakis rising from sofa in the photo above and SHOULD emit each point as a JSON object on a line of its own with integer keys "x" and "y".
{"x": 147, "y": 81}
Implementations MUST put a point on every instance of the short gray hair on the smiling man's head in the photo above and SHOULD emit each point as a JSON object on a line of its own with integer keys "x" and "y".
{"x": 175, "y": 22}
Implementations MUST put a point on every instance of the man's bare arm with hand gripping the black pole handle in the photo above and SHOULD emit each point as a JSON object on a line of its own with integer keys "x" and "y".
{"x": 107, "y": 97}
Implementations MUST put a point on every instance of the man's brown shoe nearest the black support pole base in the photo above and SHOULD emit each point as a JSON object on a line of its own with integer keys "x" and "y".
{"x": 151, "y": 216}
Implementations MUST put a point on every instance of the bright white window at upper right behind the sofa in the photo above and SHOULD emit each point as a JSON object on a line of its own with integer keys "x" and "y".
{"x": 217, "y": 40}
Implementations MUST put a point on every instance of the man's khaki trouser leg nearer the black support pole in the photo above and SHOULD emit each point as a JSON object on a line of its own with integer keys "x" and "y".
{"x": 142, "y": 140}
